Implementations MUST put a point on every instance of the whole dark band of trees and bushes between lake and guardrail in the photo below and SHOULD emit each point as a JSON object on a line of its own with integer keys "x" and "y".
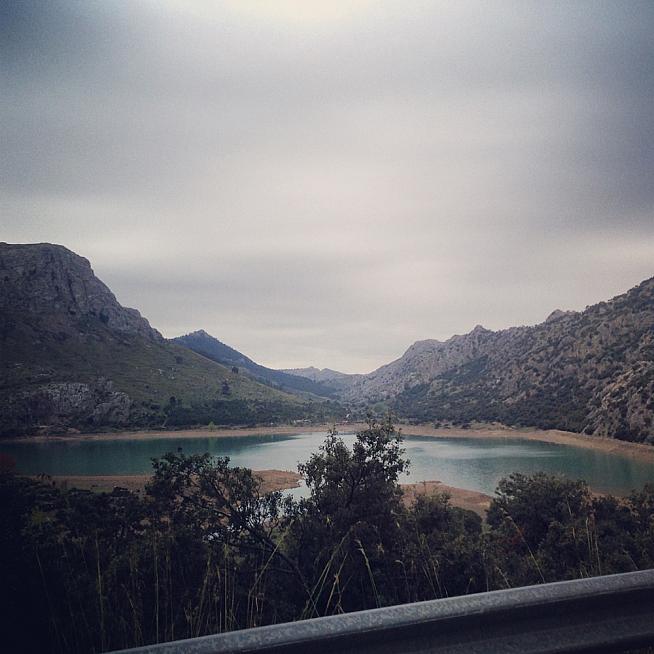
{"x": 203, "y": 550}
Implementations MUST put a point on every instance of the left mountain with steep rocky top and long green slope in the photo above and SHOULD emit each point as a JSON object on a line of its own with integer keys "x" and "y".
{"x": 72, "y": 356}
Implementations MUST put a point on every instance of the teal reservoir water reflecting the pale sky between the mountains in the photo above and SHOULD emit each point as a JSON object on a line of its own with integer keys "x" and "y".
{"x": 475, "y": 464}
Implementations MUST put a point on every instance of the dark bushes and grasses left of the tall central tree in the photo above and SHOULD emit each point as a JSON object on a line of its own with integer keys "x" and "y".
{"x": 90, "y": 572}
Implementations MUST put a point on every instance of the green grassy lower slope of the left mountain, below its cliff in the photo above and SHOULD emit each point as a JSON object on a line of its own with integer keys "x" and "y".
{"x": 149, "y": 372}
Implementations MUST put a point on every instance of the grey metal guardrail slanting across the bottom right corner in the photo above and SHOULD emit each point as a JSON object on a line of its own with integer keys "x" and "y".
{"x": 602, "y": 614}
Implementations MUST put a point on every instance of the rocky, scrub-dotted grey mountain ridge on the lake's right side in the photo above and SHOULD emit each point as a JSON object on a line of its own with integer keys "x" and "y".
{"x": 590, "y": 371}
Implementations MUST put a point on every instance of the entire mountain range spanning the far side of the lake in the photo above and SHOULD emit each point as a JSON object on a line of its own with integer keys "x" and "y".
{"x": 73, "y": 357}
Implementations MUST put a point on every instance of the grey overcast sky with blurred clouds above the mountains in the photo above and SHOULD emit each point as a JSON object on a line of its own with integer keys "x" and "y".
{"x": 323, "y": 183}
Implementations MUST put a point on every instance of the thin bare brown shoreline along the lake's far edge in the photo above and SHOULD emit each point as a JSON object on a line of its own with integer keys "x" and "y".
{"x": 639, "y": 451}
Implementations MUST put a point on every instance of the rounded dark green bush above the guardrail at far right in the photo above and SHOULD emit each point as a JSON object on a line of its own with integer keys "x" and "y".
{"x": 545, "y": 528}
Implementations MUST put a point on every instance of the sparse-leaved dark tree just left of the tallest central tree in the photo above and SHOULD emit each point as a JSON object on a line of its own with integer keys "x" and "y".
{"x": 202, "y": 500}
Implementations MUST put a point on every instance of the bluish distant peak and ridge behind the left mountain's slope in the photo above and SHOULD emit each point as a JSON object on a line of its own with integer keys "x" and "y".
{"x": 210, "y": 347}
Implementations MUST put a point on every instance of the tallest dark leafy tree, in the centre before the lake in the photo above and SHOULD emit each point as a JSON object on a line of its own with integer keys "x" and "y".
{"x": 345, "y": 536}
